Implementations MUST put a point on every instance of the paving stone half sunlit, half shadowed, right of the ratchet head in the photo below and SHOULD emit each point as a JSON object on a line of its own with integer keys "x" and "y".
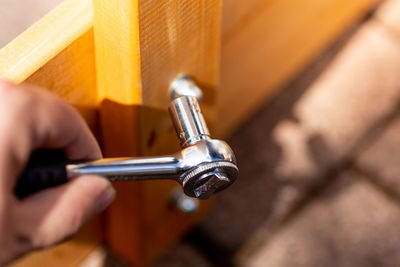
{"x": 288, "y": 147}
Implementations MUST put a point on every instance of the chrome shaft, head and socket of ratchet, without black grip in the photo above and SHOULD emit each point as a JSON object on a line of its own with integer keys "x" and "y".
{"x": 203, "y": 167}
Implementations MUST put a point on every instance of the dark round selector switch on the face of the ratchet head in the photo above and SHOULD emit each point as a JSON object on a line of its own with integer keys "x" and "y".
{"x": 209, "y": 183}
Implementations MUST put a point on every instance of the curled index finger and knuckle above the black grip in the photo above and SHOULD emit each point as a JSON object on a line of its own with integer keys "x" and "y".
{"x": 33, "y": 118}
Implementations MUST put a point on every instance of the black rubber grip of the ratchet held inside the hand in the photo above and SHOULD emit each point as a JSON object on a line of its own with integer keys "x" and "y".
{"x": 45, "y": 169}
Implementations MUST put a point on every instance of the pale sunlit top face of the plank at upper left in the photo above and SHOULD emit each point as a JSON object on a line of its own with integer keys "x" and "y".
{"x": 45, "y": 39}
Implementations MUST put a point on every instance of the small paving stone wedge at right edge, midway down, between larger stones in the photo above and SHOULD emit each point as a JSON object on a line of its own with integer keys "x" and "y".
{"x": 382, "y": 158}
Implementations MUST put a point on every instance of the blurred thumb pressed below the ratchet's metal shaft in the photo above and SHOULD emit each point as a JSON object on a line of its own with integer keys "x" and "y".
{"x": 53, "y": 215}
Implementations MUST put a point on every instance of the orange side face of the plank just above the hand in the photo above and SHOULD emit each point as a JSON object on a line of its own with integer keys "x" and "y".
{"x": 72, "y": 76}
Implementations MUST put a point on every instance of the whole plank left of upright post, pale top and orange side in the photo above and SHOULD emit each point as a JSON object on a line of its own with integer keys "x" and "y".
{"x": 57, "y": 53}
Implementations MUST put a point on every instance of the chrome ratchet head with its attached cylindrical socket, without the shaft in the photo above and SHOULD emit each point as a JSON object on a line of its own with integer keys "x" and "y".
{"x": 209, "y": 165}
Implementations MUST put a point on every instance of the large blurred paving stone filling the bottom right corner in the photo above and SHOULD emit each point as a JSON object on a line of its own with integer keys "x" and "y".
{"x": 350, "y": 224}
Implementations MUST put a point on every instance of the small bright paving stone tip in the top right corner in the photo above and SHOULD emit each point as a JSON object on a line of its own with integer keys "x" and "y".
{"x": 389, "y": 15}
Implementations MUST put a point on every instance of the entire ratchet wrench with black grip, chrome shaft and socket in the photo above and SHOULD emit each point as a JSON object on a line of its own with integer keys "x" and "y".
{"x": 203, "y": 167}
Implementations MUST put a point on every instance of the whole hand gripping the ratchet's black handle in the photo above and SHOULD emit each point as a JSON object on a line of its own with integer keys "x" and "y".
{"x": 32, "y": 118}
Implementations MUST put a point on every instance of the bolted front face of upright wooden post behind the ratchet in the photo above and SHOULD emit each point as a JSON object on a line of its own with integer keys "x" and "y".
{"x": 176, "y": 37}
